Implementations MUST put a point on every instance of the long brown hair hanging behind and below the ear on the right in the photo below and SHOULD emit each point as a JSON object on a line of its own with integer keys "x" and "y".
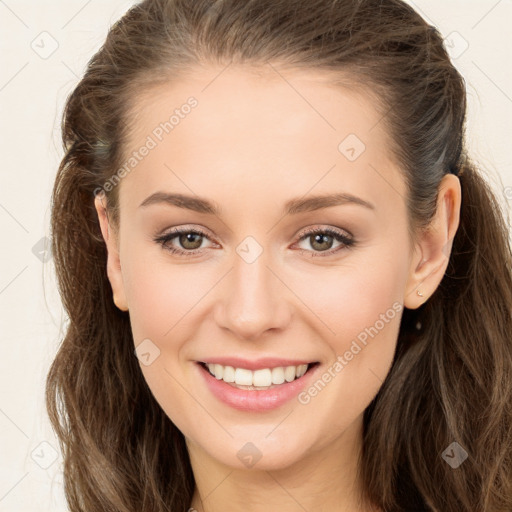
{"x": 451, "y": 380}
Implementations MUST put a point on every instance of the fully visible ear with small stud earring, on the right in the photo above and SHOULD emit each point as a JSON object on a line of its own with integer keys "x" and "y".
{"x": 432, "y": 251}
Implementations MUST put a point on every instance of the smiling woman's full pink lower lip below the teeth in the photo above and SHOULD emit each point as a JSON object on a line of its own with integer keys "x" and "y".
{"x": 256, "y": 400}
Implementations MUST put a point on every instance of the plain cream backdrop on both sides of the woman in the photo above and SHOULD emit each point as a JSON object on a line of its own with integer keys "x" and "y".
{"x": 45, "y": 46}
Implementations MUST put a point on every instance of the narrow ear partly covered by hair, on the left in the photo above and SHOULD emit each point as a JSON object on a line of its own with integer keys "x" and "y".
{"x": 113, "y": 261}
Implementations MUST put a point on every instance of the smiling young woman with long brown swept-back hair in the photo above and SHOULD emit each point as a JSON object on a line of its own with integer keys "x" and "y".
{"x": 288, "y": 286}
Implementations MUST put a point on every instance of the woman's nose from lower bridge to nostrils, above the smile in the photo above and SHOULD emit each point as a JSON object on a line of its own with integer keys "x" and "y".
{"x": 253, "y": 300}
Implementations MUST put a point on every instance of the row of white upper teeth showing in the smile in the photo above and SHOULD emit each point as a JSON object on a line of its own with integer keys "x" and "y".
{"x": 260, "y": 378}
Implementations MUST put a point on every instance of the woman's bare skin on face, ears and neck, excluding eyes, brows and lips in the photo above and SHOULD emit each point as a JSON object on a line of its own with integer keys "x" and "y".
{"x": 254, "y": 141}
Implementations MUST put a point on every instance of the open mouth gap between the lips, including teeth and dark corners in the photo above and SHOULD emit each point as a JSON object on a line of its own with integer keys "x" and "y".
{"x": 259, "y": 379}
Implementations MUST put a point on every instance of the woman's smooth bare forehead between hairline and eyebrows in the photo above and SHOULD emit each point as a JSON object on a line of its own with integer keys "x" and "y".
{"x": 263, "y": 130}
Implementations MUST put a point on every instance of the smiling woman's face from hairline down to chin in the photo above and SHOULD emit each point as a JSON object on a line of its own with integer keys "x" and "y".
{"x": 276, "y": 279}
